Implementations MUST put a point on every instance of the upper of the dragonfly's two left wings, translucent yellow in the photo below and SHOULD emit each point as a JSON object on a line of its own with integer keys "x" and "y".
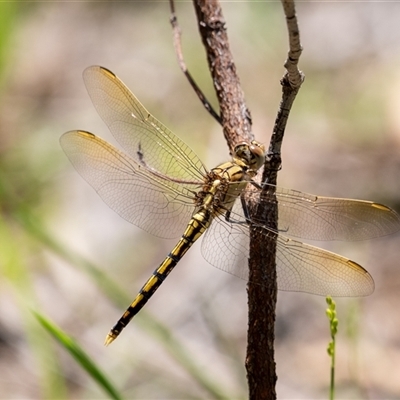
{"x": 145, "y": 139}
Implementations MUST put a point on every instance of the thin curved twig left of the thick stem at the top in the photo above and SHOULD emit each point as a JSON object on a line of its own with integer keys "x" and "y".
{"x": 182, "y": 64}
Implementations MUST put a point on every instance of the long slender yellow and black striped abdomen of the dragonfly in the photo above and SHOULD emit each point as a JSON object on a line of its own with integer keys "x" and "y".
{"x": 195, "y": 228}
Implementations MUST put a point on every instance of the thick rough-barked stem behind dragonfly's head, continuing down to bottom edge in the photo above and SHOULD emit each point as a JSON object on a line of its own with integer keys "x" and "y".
{"x": 236, "y": 119}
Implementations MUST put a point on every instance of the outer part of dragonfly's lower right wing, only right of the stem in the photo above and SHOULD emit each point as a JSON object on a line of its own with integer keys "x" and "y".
{"x": 305, "y": 268}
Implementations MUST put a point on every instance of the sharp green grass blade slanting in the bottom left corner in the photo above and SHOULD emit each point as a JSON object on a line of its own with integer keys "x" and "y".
{"x": 80, "y": 356}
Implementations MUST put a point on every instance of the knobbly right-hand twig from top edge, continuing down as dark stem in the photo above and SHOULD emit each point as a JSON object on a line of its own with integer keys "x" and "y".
{"x": 262, "y": 288}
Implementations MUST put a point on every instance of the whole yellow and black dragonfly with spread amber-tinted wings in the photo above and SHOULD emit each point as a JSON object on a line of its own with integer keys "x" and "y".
{"x": 160, "y": 185}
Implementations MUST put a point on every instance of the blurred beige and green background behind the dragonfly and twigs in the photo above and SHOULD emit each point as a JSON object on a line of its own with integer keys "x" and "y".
{"x": 65, "y": 254}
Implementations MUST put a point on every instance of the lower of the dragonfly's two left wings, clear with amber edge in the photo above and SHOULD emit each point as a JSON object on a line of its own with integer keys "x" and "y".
{"x": 151, "y": 202}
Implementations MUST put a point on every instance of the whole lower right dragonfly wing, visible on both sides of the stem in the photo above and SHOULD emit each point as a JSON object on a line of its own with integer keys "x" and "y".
{"x": 300, "y": 267}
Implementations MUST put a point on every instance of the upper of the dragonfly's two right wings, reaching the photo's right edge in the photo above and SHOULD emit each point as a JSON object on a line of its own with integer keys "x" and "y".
{"x": 313, "y": 217}
